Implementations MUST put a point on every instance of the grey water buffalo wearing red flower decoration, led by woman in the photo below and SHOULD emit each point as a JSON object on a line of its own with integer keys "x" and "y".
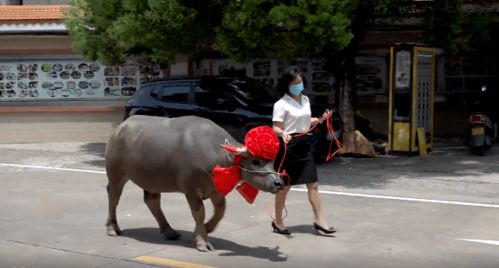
{"x": 178, "y": 155}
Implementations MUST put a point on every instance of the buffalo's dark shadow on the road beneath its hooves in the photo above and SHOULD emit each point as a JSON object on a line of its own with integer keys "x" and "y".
{"x": 152, "y": 235}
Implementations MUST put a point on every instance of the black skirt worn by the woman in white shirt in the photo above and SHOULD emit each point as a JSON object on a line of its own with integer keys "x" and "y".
{"x": 299, "y": 162}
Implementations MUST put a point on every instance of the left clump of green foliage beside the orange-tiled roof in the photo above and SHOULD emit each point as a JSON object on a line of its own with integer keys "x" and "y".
{"x": 154, "y": 30}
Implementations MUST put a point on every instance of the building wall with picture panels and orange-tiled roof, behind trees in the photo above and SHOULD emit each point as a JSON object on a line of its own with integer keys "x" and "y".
{"x": 38, "y": 65}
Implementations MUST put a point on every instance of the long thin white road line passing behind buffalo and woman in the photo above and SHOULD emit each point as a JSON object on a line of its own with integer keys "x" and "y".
{"x": 388, "y": 197}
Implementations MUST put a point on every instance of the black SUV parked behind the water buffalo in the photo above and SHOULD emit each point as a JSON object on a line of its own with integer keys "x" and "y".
{"x": 235, "y": 103}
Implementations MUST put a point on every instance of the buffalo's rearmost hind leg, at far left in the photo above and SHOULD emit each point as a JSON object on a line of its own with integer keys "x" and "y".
{"x": 114, "y": 190}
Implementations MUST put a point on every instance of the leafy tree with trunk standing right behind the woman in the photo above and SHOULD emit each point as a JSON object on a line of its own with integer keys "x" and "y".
{"x": 329, "y": 29}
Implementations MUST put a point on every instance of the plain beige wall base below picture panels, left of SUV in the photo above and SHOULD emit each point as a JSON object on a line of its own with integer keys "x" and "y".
{"x": 54, "y": 122}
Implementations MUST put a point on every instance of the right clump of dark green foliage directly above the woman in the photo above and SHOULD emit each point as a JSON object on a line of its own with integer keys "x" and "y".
{"x": 285, "y": 29}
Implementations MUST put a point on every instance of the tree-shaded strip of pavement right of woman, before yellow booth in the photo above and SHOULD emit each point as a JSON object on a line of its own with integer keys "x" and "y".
{"x": 444, "y": 163}
